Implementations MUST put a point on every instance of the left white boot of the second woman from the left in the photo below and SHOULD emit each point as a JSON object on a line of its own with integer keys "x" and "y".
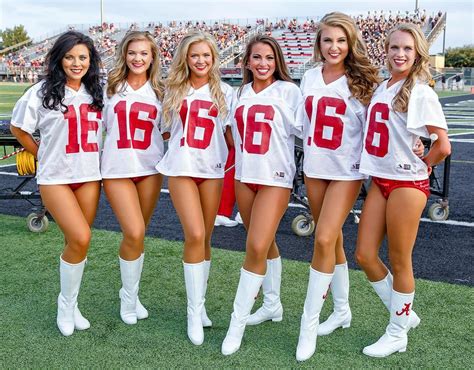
{"x": 130, "y": 272}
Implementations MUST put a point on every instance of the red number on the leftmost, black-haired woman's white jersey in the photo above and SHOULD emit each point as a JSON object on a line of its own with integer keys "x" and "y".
{"x": 73, "y": 145}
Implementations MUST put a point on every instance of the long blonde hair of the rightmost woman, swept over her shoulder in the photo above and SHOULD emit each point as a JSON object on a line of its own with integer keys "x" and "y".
{"x": 419, "y": 71}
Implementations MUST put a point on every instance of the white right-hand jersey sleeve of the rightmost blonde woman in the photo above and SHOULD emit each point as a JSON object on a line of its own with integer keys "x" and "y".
{"x": 424, "y": 109}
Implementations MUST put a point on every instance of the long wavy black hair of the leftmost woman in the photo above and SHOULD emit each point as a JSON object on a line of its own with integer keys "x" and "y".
{"x": 55, "y": 79}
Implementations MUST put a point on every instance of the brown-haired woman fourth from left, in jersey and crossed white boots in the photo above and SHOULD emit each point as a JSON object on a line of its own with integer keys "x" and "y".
{"x": 264, "y": 133}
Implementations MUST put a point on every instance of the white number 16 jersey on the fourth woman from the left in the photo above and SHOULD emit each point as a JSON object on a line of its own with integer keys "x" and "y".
{"x": 264, "y": 134}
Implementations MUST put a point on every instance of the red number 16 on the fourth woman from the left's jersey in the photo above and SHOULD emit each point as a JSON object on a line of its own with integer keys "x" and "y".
{"x": 254, "y": 126}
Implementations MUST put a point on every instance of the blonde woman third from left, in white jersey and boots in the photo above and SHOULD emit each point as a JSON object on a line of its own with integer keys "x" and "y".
{"x": 196, "y": 112}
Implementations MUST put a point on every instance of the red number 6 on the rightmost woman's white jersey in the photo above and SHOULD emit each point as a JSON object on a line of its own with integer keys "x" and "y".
{"x": 380, "y": 128}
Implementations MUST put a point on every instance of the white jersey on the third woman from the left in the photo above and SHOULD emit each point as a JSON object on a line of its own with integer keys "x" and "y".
{"x": 197, "y": 146}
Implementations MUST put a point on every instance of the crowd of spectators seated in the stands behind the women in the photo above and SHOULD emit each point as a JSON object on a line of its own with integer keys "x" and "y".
{"x": 373, "y": 26}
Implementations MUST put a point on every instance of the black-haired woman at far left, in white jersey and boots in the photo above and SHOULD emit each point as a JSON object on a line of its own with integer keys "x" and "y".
{"x": 66, "y": 109}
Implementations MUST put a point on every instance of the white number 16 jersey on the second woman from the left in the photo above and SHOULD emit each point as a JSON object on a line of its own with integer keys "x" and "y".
{"x": 133, "y": 144}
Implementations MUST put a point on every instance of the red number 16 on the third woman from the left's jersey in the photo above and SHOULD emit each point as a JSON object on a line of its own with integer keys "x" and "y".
{"x": 197, "y": 123}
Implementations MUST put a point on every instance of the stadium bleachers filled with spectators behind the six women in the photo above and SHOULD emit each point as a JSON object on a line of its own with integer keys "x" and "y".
{"x": 296, "y": 37}
